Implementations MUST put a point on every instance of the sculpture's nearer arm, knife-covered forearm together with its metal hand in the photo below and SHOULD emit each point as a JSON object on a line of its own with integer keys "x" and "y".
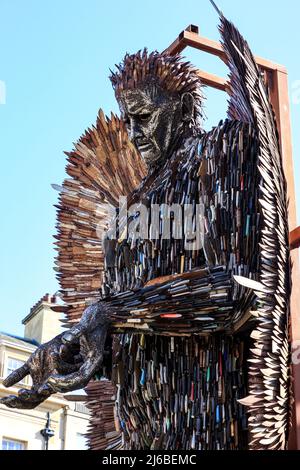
{"x": 170, "y": 306}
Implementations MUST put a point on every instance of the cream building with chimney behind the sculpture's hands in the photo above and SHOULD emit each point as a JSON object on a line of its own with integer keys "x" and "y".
{"x": 21, "y": 429}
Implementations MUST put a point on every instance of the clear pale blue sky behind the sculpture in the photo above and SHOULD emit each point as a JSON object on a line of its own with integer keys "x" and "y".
{"x": 54, "y": 65}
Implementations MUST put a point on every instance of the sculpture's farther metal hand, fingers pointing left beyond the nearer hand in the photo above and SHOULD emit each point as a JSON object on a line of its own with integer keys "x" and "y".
{"x": 49, "y": 358}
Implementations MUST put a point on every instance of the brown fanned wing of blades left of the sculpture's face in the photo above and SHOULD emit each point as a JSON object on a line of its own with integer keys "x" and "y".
{"x": 103, "y": 166}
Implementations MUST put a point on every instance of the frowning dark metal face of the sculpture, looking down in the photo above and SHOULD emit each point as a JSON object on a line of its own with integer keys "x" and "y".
{"x": 153, "y": 121}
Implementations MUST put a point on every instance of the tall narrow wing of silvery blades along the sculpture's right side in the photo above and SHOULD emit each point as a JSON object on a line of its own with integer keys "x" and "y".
{"x": 269, "y": 399}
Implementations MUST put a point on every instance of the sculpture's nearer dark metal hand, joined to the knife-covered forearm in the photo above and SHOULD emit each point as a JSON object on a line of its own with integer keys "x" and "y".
{"x": 89, "y": 336}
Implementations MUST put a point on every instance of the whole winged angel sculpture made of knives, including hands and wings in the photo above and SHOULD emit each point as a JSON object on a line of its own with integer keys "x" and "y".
{"x": 191, "y": 329}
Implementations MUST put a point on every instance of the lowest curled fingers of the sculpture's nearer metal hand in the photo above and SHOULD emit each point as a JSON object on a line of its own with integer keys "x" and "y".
{"x": 76, "y": 380}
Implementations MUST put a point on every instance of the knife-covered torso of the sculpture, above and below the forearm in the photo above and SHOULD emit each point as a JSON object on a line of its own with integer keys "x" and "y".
{"x": 181, "y": 392}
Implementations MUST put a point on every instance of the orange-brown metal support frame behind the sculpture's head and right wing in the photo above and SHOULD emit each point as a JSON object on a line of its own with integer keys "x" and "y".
{"x": 277, "y": 79}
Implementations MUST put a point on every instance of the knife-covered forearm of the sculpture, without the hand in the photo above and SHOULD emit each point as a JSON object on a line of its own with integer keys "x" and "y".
{"x": 198, "y": 300}
